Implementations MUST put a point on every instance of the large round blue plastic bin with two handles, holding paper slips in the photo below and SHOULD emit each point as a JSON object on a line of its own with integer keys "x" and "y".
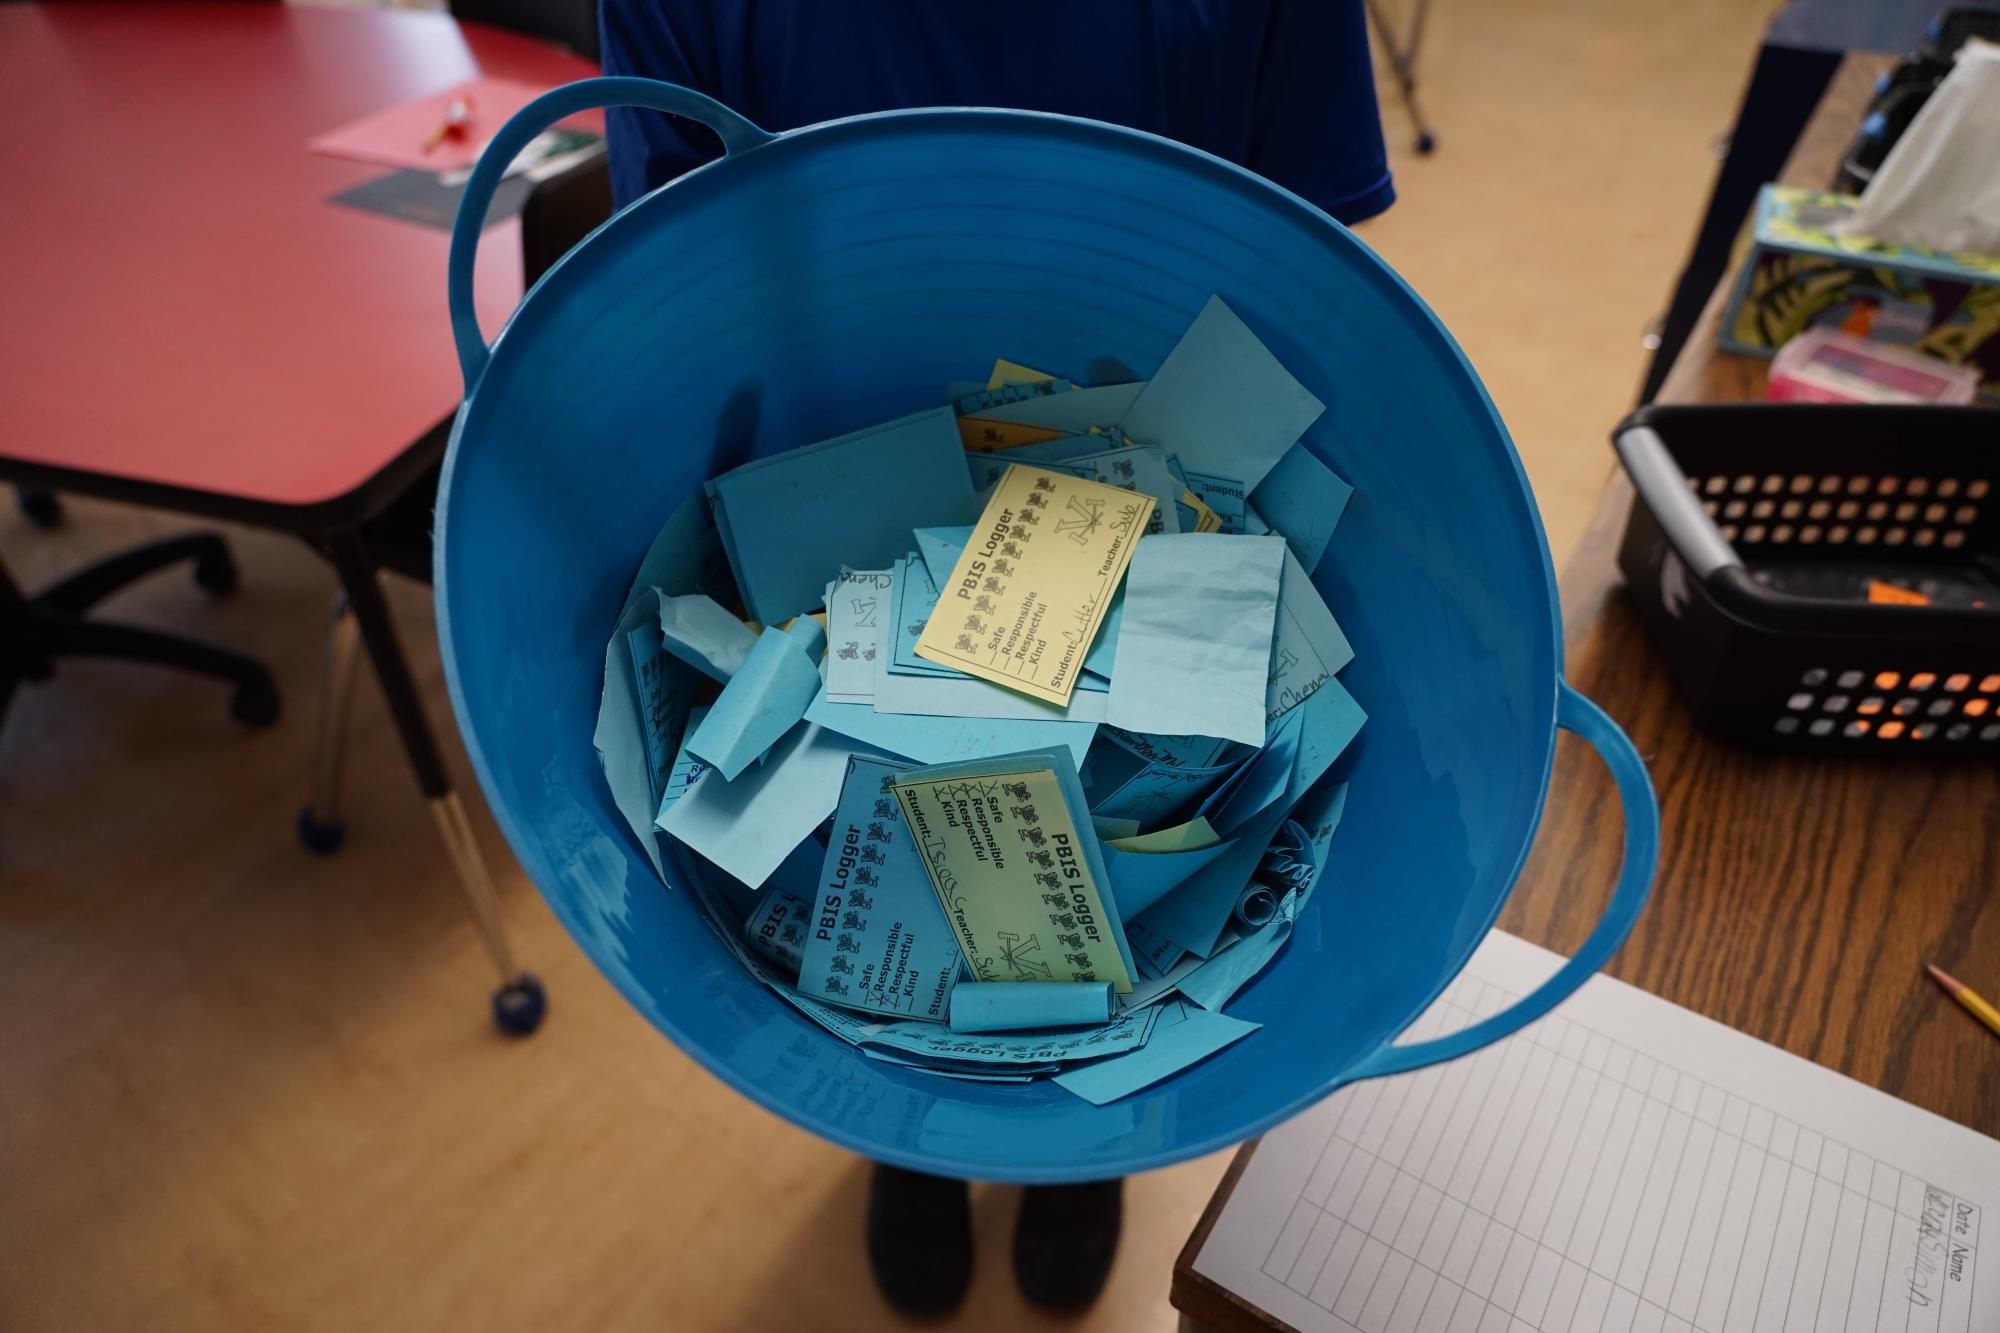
{"x": 825, "y": 279}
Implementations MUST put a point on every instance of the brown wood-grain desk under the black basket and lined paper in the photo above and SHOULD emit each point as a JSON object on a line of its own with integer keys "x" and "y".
{"x": 1797, "y": 900}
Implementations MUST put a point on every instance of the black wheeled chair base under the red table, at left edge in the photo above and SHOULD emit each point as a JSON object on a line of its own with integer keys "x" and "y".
{"x": 37, "y": 631}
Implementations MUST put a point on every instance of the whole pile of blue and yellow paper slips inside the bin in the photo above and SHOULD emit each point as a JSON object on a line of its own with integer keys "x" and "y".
{"x": 1023, "y": 768}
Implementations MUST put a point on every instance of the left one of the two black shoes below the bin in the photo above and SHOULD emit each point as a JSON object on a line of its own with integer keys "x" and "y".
{"x": 919, "y": 1242}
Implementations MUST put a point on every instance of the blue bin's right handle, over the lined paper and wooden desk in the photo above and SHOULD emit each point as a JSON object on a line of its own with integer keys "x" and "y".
{"x": 1635, "y": 882}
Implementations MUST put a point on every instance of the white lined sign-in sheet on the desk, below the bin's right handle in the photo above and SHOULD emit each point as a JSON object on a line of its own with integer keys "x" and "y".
{"x": 1619, "y": 1166}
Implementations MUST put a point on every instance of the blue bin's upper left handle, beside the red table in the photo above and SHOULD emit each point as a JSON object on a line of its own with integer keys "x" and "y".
{"x": 539, "y": 115}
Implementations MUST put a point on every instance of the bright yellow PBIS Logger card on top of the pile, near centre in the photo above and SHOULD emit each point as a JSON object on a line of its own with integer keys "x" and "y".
{"x": 1029, "y": 591}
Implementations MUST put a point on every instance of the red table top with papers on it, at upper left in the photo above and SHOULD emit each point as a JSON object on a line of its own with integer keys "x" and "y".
{"x": 183, "y": 305}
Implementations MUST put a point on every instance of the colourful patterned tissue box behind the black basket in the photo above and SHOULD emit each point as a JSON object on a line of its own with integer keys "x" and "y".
{"x": 1803, "y": 277}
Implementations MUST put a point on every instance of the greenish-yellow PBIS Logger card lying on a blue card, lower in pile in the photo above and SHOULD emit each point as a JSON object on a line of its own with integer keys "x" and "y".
{"x": 1011, "y": 874}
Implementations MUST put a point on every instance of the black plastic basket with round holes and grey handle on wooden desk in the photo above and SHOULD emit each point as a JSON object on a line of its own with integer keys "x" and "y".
{"x": 1823, "y": 579}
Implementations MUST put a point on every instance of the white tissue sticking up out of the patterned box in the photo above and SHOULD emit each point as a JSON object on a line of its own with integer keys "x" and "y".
{"x": 1941, "y": 183}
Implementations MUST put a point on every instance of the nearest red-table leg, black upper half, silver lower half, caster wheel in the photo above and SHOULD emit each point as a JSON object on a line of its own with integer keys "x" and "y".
{"x": 521, "y": 1002}
